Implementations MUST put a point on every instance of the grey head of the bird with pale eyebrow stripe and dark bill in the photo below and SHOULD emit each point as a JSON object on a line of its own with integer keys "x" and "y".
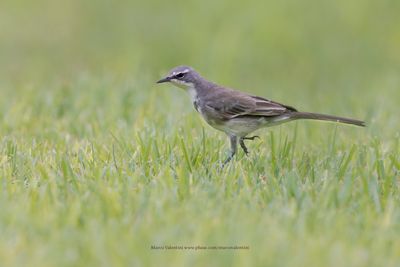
{"x": 182, "y": 76}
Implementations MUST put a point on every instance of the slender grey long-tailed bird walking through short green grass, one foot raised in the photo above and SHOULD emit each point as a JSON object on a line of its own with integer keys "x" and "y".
{"x": 236, "y": 113}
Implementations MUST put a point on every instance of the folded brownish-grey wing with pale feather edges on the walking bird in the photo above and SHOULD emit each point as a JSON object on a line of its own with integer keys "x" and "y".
{"x": 235, "y": 104}
